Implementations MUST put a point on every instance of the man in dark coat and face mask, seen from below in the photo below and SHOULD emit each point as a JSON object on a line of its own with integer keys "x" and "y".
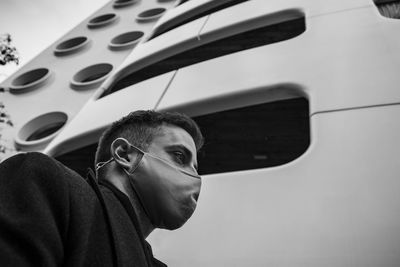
{"x": 146, "y": 178}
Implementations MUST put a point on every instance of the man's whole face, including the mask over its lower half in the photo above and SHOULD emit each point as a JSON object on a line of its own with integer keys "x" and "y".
{"x": 169, "y": 195}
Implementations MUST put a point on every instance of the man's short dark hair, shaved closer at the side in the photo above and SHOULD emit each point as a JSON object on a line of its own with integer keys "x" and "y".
{"x": 140, "y": 127}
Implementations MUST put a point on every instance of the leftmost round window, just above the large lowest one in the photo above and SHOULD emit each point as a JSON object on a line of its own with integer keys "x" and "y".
{"x": 29, "y": 80}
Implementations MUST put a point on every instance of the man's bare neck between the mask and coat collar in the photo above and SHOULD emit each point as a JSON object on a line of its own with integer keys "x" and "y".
{"x": 120, "y": 180}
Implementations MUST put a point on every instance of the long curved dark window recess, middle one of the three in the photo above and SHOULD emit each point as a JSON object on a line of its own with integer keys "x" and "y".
{"x": 239, "y": 42}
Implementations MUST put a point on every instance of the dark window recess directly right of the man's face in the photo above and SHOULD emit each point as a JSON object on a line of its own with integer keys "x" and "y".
{"x": 253, "y": 137}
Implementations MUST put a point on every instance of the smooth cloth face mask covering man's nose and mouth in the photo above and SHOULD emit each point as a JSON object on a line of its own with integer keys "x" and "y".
{"x": 168, "y": 194}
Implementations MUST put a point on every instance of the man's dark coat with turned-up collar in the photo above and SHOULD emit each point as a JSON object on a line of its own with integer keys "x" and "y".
{"x": 50, "y": 216}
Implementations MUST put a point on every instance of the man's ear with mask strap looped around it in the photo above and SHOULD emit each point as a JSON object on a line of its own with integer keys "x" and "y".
{"x": 123, "y": 153}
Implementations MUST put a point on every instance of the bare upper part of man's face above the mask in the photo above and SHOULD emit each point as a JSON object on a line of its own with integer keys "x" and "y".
{"x": 175, "y": 145}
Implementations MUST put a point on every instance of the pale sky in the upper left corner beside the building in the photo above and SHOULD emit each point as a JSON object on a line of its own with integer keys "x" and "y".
{"x": 35, "y": 24}
